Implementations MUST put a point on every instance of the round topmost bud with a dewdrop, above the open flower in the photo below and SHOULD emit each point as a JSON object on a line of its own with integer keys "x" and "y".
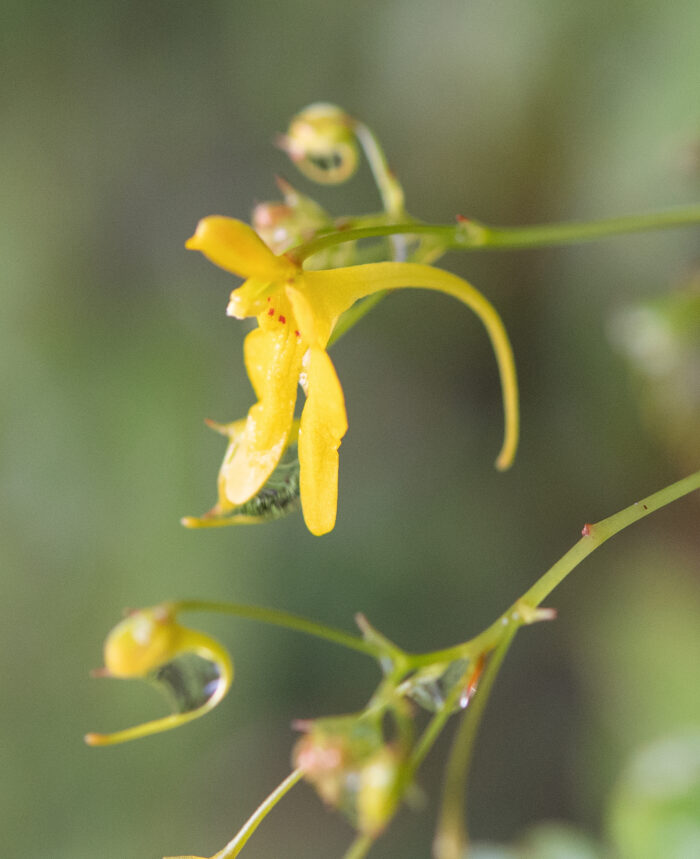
{"x": 321, "y": 142}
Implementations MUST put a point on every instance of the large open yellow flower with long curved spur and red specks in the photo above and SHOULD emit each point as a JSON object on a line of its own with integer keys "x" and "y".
{"x": 297, "y": 311}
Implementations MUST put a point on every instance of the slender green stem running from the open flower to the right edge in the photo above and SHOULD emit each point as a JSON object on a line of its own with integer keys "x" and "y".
{"x": 472, "y": 235}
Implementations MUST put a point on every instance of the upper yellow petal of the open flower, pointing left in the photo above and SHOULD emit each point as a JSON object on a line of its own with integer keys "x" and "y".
{"x": 237, "y": 248}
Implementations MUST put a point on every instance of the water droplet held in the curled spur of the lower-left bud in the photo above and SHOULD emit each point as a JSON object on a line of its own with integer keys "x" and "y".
{"x": 189, "y": 681}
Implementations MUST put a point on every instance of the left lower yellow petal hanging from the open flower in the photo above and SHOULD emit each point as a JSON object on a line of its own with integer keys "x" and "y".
{"x": 274, "y": 359}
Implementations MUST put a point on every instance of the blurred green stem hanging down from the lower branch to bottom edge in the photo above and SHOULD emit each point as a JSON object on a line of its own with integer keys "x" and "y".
{"x": 451, "y": 835}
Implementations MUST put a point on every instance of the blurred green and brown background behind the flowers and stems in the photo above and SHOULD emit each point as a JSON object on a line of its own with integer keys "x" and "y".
{"x": 122, "y": 123}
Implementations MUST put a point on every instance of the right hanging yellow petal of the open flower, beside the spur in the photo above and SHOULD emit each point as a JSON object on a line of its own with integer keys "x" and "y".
{"x": 323, "y": 425}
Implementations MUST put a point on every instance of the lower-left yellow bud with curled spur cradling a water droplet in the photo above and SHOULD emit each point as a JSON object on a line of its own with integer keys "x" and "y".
{"x": 193, "y": 669}
